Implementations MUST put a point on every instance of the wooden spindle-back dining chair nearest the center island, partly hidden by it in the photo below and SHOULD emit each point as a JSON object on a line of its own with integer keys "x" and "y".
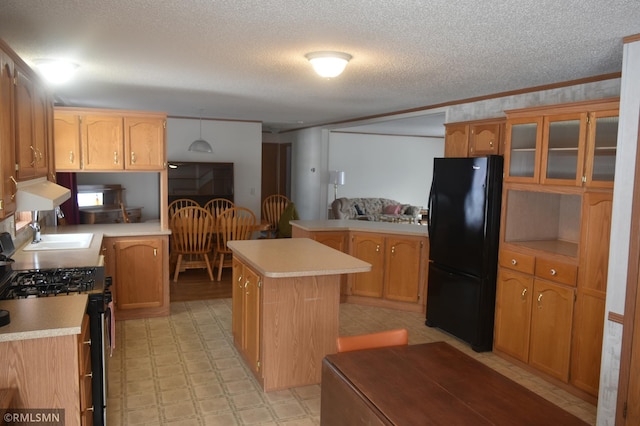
{"x": 236, "y": 223}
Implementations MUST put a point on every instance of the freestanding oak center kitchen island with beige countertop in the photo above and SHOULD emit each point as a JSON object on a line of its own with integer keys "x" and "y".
{"x": 286, "y": 297}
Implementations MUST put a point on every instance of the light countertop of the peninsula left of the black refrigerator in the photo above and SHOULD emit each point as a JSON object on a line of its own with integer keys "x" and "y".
{"x": 361, "y": 225}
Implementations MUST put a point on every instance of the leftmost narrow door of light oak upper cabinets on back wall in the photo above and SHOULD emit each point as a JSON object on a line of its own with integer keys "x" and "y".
{"x": 67, "y": 141}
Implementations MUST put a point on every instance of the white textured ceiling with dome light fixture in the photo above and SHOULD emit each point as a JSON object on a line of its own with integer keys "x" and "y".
{"x": 241, "y": 59}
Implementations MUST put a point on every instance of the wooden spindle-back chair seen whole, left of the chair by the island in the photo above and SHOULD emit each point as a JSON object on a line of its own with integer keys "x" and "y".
{"x": 191, "y": 230}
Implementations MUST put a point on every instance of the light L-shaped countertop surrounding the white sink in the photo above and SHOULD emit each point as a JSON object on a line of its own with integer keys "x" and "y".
{"x": 45, "y": 259}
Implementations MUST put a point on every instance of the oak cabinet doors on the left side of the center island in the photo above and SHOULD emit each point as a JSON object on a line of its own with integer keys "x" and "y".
{"x": 245, "y": 321}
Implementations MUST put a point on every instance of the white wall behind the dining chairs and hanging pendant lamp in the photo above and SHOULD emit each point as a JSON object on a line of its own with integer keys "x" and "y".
{"x": 237, "y": 142}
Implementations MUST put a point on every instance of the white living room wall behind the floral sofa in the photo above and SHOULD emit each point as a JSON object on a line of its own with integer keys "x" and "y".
{"x": 395, "y": 167}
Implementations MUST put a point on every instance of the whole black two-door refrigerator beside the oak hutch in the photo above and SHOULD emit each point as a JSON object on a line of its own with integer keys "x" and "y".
{"x": 464, "y": 229}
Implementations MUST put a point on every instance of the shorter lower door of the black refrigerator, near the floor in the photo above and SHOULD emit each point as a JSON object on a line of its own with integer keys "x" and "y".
{"x": 455, "y": 304}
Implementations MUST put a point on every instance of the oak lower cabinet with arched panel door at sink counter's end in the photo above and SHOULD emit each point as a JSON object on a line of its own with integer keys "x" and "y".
{"x": 140, "y": 270}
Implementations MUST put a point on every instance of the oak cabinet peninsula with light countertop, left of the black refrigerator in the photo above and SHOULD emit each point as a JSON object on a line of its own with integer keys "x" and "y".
{"x": 398, "y": 253}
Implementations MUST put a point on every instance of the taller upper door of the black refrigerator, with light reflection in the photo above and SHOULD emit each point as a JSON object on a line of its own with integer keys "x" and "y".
{"x": 457, "y": 210}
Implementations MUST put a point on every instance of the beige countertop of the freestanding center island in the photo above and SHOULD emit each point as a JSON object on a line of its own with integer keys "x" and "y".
{"x": 295, "y": 257}
